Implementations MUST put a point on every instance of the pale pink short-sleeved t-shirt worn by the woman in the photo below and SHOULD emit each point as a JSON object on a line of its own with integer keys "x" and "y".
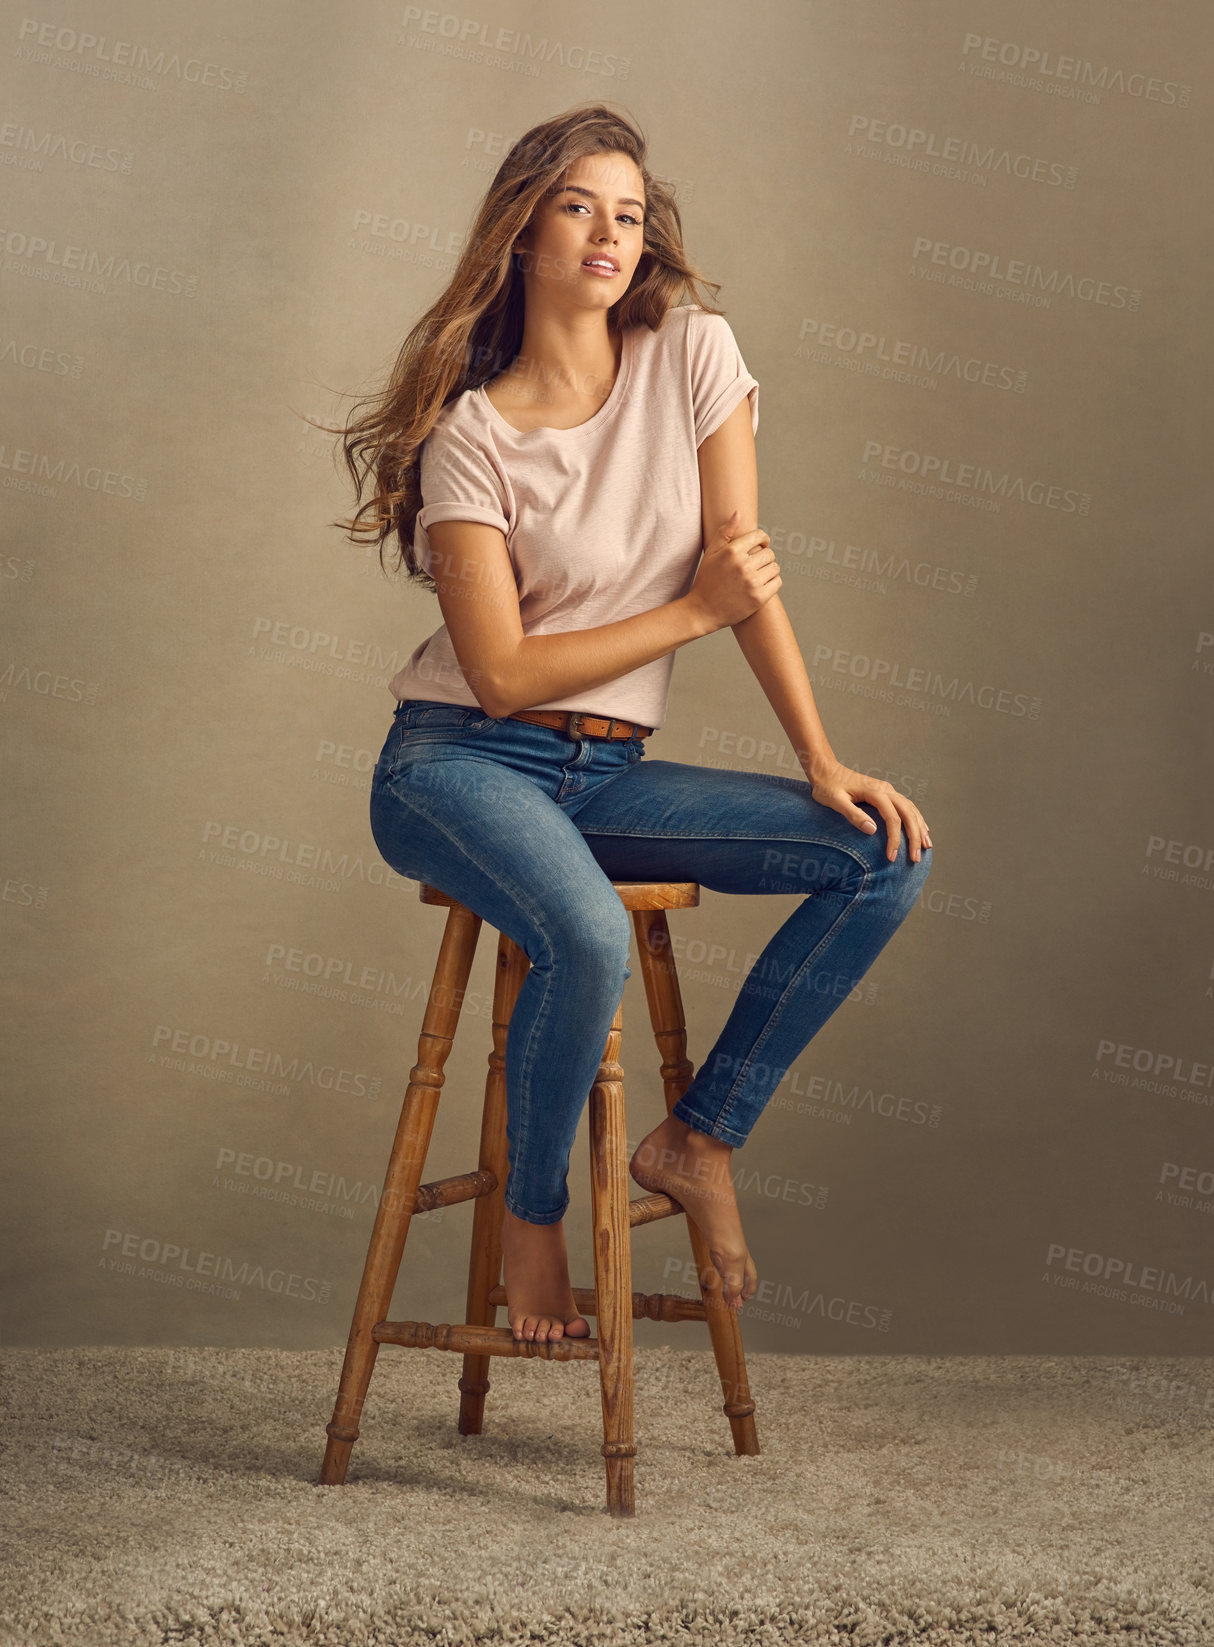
{"x": 602, "y": 521}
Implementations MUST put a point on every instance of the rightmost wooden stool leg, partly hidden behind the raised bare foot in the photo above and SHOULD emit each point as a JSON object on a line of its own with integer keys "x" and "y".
{"x": 666, "y": 1012}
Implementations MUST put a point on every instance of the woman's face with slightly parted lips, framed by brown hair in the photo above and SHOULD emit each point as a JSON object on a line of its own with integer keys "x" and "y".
{"x": 597, "y": 212}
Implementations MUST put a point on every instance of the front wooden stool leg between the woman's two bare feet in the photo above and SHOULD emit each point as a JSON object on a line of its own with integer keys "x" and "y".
{"x": 614, "y": 1272}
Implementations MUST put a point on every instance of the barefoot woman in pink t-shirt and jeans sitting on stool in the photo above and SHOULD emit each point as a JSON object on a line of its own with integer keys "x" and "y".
{"x": 567, "y": 455}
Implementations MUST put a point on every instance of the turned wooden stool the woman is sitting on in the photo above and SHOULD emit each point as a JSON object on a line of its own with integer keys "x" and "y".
{"x": 612, "y": 1299}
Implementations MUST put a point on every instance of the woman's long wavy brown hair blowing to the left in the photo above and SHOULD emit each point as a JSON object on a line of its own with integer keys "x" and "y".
{"x": 475, "y": 329}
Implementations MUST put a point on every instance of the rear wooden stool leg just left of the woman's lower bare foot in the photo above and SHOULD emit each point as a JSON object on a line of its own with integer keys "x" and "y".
{"x": 487, "y": 1259}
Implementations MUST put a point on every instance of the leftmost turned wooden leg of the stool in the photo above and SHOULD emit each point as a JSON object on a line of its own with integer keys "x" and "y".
{"x": 404, "y": 1175}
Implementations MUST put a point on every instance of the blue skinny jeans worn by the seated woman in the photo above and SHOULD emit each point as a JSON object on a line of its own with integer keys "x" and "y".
{"x": 530, "y": 828}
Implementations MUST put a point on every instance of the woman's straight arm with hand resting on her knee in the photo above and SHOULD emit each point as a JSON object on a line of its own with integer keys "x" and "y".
{"x": 729, "y": 480}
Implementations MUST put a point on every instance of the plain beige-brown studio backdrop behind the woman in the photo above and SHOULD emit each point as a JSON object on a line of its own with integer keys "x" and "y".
{"x": 960, "y": 250}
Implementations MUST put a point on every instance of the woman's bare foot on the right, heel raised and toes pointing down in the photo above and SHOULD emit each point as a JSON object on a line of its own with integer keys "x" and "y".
{"x": 694, "y": 1170}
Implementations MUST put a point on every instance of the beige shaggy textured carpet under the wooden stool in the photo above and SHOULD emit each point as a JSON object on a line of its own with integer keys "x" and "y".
{"x": 170, "y": 1496}
